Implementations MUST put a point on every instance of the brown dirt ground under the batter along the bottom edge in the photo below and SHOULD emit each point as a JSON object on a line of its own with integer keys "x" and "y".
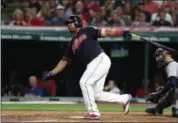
{"x": 65, "y": 116}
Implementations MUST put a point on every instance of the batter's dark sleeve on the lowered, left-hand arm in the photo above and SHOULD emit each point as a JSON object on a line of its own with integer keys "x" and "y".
{"x": 69, "y": 54}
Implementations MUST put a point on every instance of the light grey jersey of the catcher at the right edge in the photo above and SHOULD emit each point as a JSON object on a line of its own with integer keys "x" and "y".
{"x": 172, "y": 69}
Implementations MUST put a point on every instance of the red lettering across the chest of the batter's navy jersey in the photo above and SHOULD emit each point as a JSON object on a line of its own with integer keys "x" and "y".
{"x": 77, "y": 42}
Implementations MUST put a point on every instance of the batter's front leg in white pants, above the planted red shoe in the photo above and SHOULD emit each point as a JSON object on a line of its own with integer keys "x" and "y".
{"x": 91, "y": 75}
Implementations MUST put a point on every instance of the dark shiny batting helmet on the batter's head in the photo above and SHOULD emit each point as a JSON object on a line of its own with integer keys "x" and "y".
{"x": 76, "y": 20}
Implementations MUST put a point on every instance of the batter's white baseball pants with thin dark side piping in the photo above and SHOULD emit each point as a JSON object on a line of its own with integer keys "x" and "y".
{"x": 92, "y": 84}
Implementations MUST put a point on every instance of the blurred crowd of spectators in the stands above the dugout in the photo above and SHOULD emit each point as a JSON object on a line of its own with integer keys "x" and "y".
{"x": 93, "y": 12}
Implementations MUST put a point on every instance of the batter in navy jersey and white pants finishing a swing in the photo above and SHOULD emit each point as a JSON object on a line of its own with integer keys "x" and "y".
{"x": 85, "y": 46}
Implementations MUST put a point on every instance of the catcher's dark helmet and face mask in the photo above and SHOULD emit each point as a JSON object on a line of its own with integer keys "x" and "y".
{"x": 160, "y": 55}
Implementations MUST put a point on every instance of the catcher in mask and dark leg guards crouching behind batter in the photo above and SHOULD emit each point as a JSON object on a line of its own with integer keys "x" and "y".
{"x": 168, "y": 95}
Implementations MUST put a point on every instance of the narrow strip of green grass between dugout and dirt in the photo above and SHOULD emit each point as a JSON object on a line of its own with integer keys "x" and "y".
{"x": 62, "y": 107}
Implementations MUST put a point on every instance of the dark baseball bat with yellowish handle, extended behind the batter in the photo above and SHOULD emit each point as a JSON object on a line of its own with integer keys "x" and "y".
{"x": 154, "y": 43}
